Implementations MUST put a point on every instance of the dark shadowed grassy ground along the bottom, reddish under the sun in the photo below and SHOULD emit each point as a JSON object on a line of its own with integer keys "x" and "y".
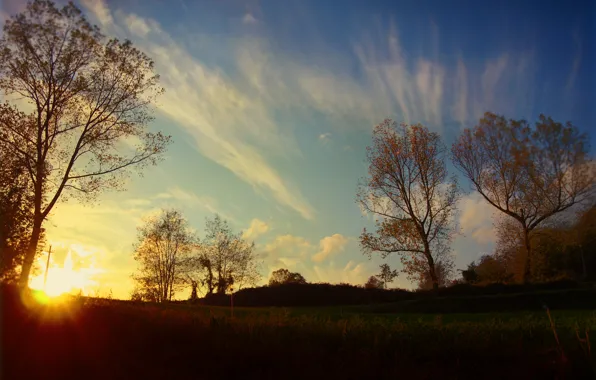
{"x": 85, "y": 339}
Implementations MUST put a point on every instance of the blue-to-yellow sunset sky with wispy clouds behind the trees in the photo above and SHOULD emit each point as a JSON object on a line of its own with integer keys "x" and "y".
{"x": 271, "y": 105}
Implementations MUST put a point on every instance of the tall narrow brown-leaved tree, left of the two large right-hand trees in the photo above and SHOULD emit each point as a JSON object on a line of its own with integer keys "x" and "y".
{"x": 408, "y": 189}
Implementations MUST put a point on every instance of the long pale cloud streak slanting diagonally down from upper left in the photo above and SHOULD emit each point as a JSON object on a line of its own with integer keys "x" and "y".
{"x": 227, "y": 123}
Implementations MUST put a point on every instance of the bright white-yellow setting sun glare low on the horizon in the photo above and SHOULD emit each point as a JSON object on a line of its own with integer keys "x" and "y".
{"x": 64, "y": 280}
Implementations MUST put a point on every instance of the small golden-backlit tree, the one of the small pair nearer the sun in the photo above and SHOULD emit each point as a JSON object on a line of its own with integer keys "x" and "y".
{"x": 164, "y": 251}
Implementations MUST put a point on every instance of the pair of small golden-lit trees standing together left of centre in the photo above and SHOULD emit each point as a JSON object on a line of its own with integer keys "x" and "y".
{"x": 171, "y": 257}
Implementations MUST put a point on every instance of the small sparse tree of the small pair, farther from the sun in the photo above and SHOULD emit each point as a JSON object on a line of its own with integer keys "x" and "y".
{"x": 226, "y": 258}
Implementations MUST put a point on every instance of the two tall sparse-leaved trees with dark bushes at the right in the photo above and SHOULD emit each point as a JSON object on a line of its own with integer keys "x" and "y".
{"x": 531, "y": 175}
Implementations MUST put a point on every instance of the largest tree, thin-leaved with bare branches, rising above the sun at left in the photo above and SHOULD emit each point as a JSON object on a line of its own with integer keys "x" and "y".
{"x": 90, "y": 100}
